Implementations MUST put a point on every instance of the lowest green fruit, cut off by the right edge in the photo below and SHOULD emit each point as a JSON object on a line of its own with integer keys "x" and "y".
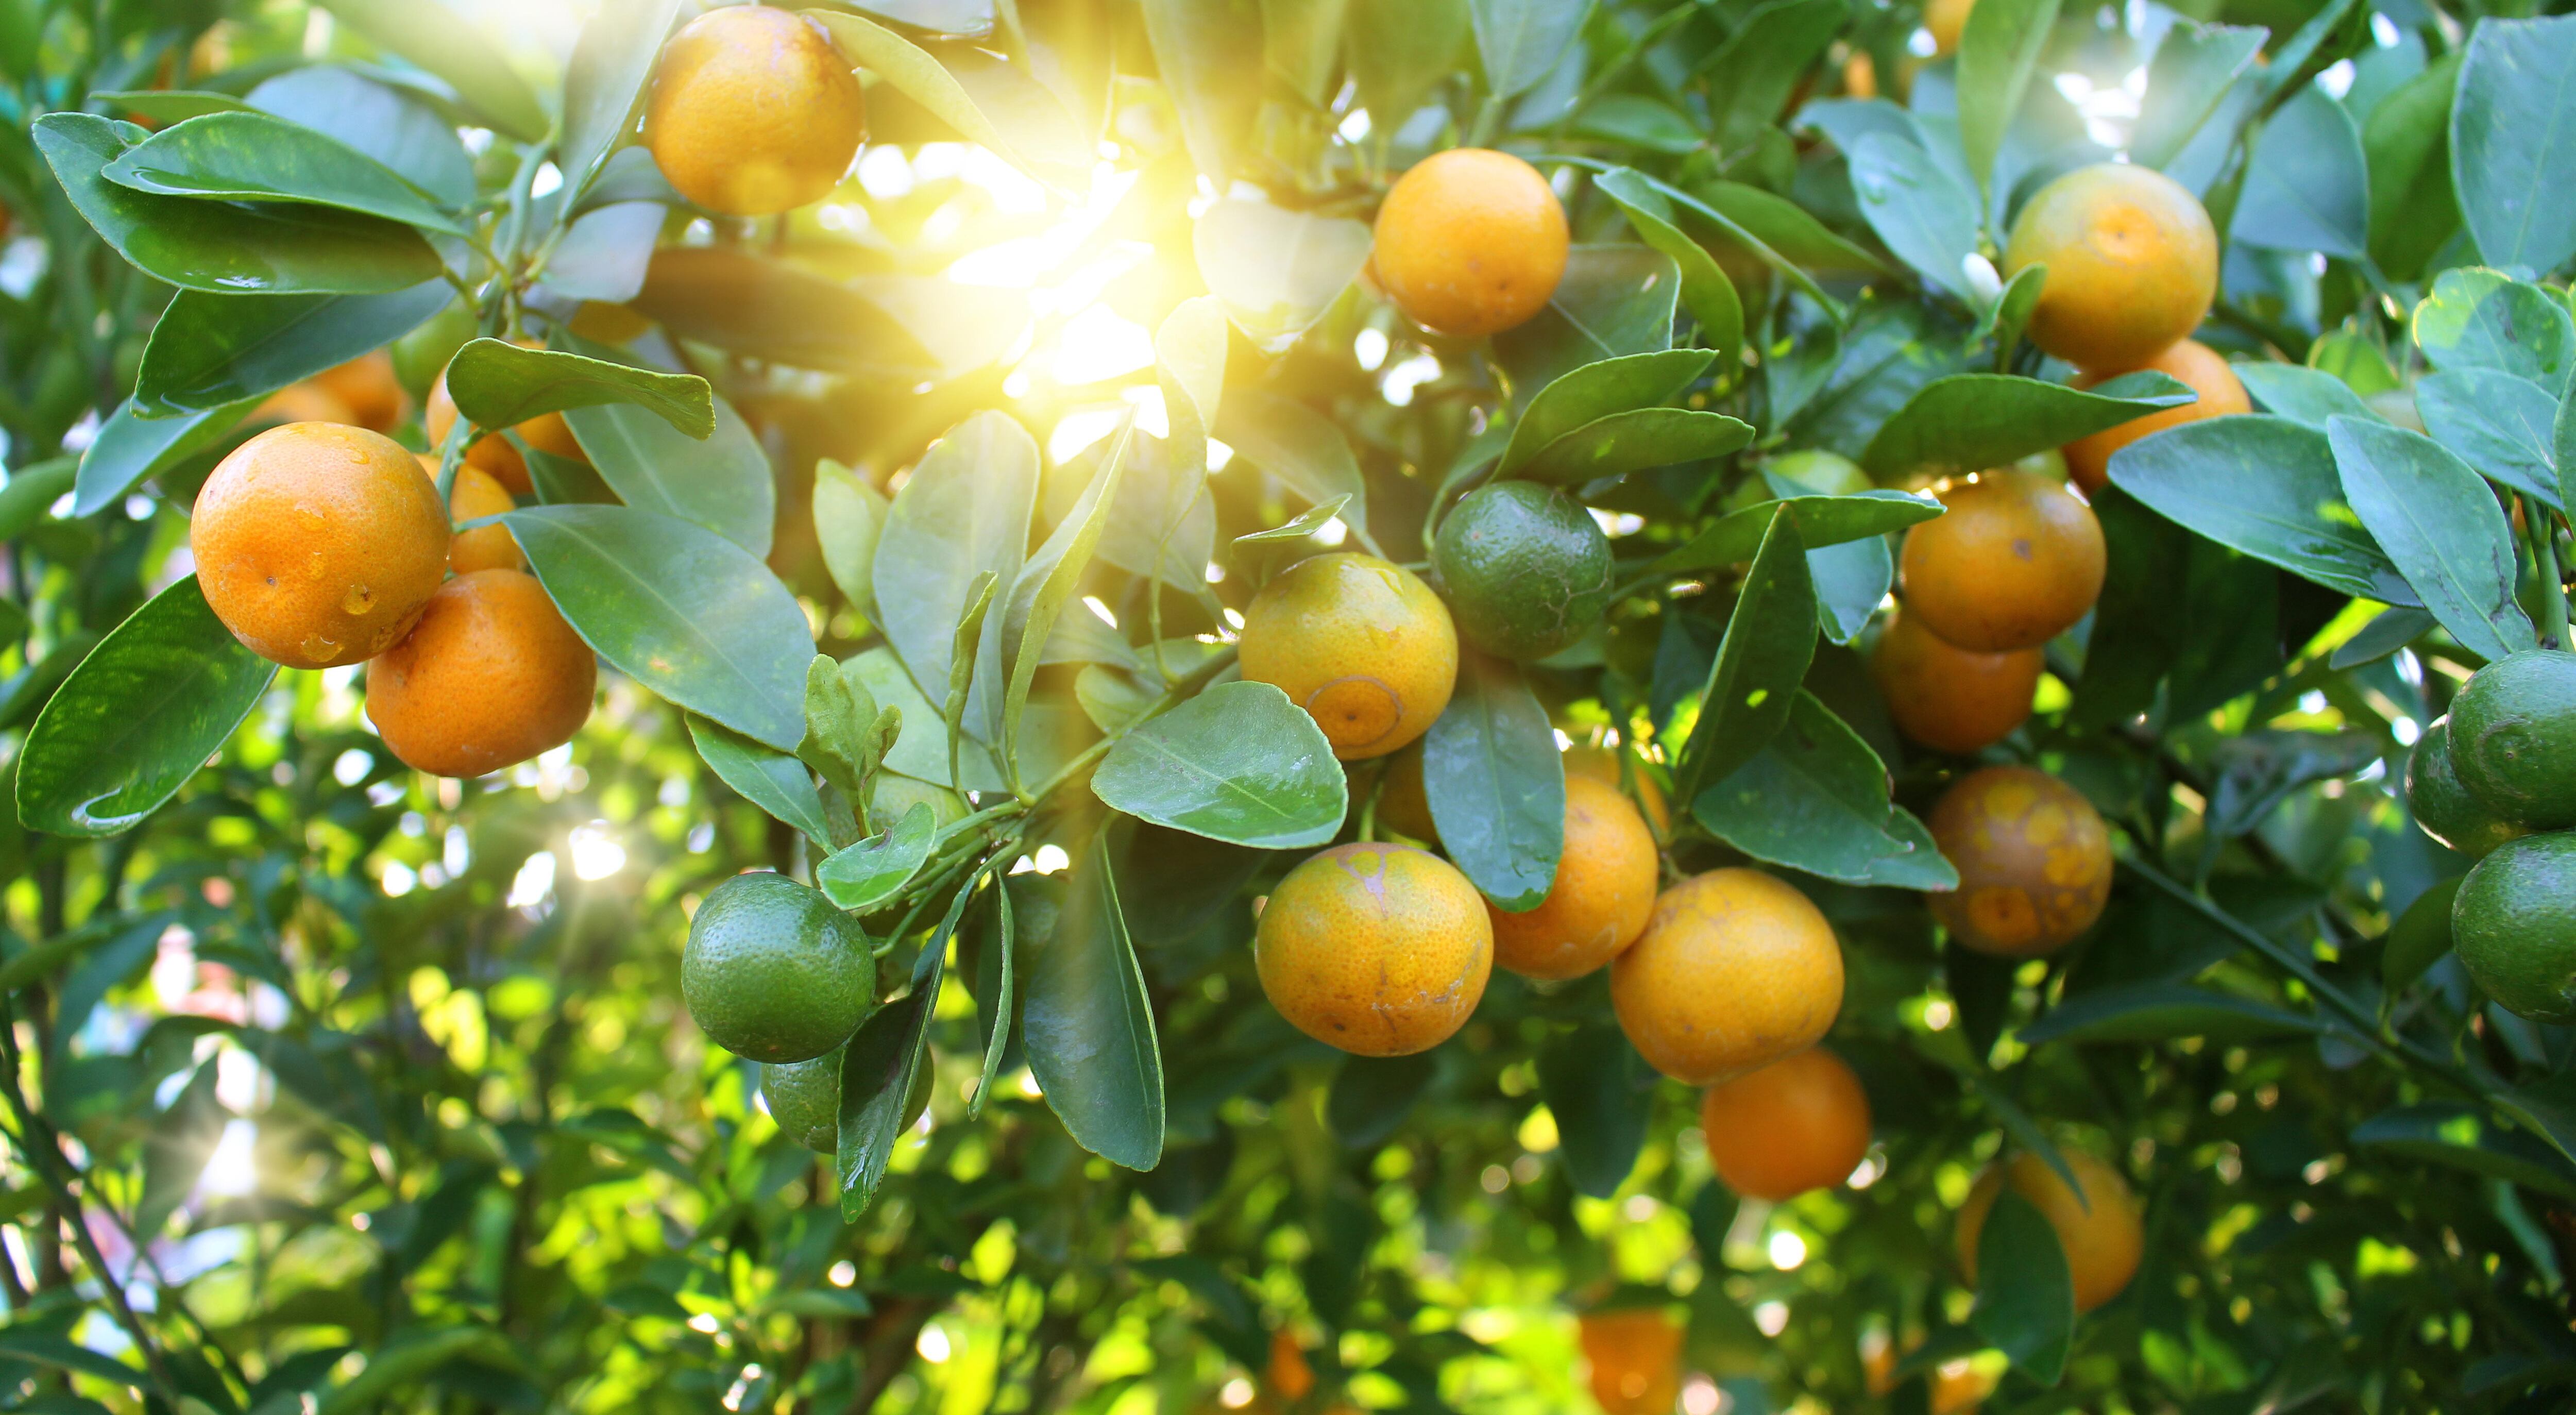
{"x": 2515, "y": 927}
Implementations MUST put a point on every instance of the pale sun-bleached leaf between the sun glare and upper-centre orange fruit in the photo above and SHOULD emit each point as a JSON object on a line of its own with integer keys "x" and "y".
{"x": 1274, "y": 269}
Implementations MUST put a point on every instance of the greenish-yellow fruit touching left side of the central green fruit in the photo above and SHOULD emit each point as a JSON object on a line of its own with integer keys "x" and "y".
{"x": 1359, "y": 643}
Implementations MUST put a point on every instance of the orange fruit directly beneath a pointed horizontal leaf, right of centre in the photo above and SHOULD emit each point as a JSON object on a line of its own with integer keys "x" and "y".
{"x": 2011, "y": 566}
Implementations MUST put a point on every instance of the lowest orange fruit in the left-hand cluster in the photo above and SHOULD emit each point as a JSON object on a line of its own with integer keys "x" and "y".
{"x": 488, "y": 679}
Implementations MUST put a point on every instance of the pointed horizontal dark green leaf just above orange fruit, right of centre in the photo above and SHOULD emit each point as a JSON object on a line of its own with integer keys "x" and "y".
{"x": 1975, "y": 421}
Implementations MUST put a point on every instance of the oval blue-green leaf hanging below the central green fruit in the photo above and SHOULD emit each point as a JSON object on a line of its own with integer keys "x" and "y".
{"x": 1495, "y": 785}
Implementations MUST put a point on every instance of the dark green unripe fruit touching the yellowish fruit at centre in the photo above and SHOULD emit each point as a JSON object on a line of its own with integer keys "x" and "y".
{"x": 1526, "y": 568}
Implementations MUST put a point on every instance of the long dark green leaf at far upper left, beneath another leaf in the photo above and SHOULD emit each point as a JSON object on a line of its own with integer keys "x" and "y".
{"x": 218, "y": 249}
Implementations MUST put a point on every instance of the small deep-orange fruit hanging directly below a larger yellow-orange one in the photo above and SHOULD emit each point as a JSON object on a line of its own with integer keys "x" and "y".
{"x": 1797, "y": 1125}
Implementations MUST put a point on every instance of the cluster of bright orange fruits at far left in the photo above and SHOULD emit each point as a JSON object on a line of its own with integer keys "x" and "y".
{"x": 321, "y": 543}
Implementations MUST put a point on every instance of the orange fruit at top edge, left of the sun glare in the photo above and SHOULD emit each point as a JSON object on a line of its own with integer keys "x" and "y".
{"x": 753, "y": 112}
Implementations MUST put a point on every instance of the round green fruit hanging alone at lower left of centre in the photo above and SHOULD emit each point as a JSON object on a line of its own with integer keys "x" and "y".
{"x": 774, "y": 973}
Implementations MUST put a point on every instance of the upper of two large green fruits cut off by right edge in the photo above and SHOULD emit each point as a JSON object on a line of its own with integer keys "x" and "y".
{"x": 2513, "y": 738}
